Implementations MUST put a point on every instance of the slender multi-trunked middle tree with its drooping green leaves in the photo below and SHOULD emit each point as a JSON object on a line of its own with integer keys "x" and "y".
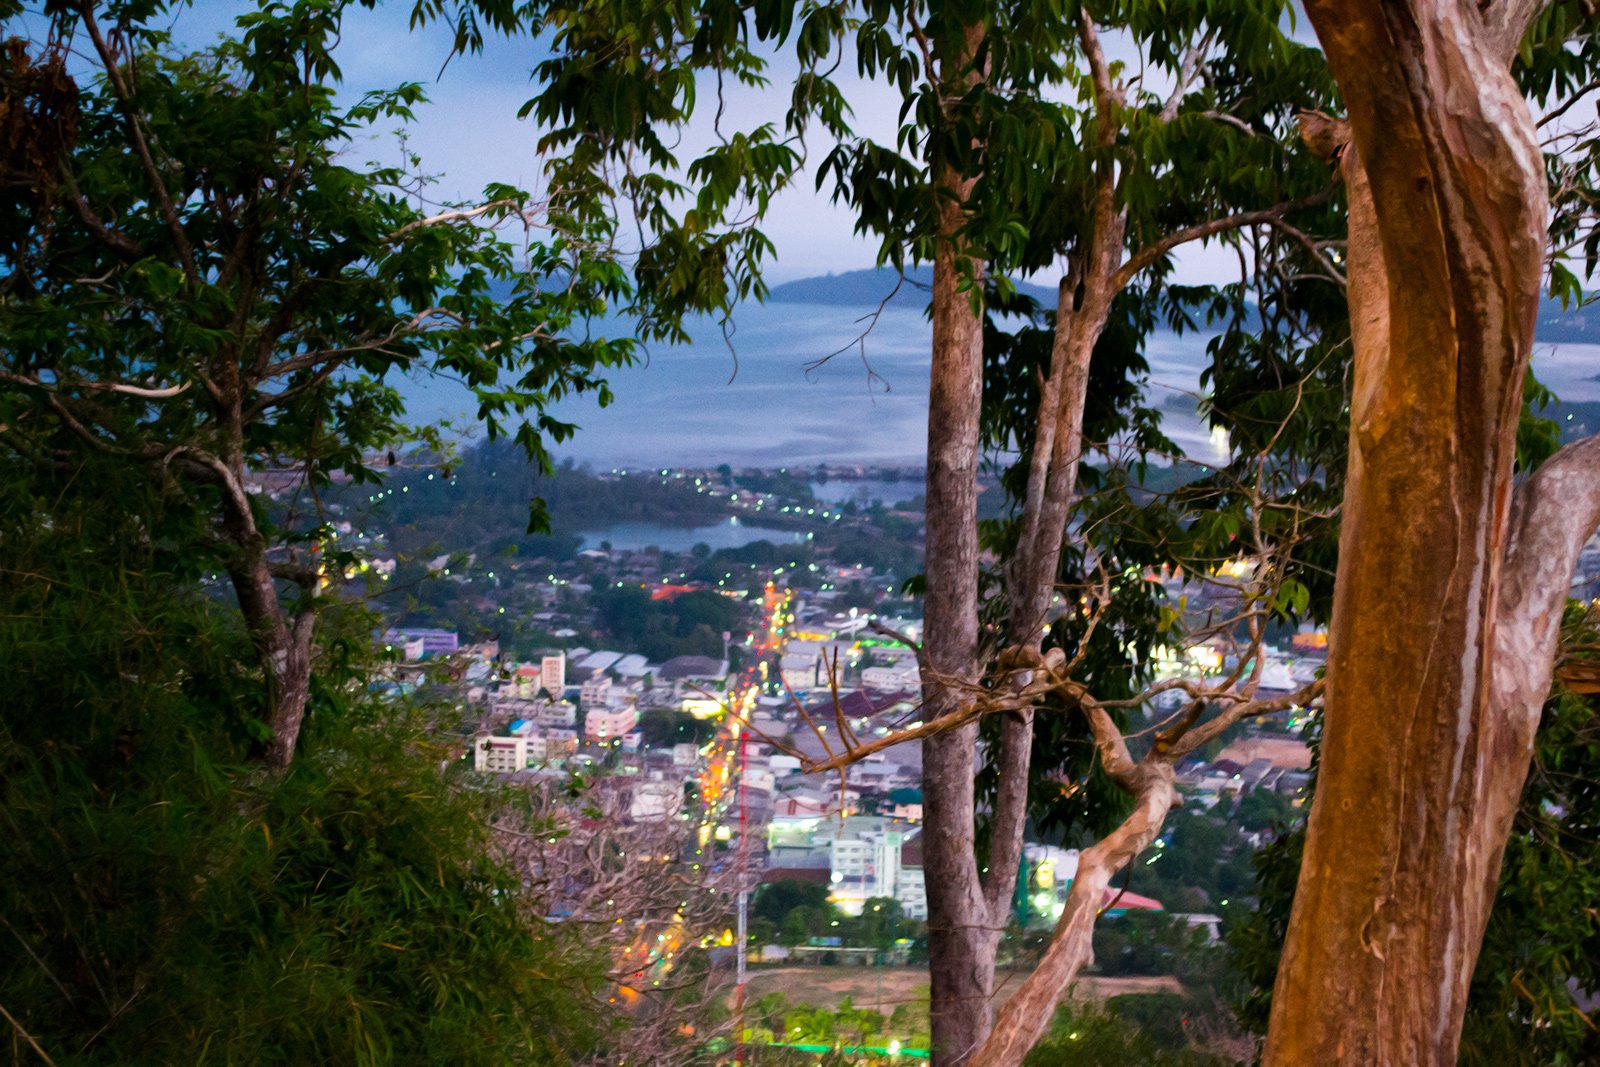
{"x": 986, "y": 178}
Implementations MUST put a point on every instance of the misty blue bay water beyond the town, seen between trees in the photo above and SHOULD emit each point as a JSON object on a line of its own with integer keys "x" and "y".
{"x": 681, "y": 409}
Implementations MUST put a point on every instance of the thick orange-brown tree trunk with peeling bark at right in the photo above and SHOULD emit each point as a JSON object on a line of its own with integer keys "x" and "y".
{"x": 1444, "y": 623}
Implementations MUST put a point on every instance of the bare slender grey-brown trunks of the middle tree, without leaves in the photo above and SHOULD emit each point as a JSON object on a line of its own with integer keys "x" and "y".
{"x": 970, "y": 911}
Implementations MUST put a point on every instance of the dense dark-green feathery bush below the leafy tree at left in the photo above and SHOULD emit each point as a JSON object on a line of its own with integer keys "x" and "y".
{"x": 167, "y": 903}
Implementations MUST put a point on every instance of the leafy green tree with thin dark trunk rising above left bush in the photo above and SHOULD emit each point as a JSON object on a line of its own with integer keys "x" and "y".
{"x": 199, "y": 284}
